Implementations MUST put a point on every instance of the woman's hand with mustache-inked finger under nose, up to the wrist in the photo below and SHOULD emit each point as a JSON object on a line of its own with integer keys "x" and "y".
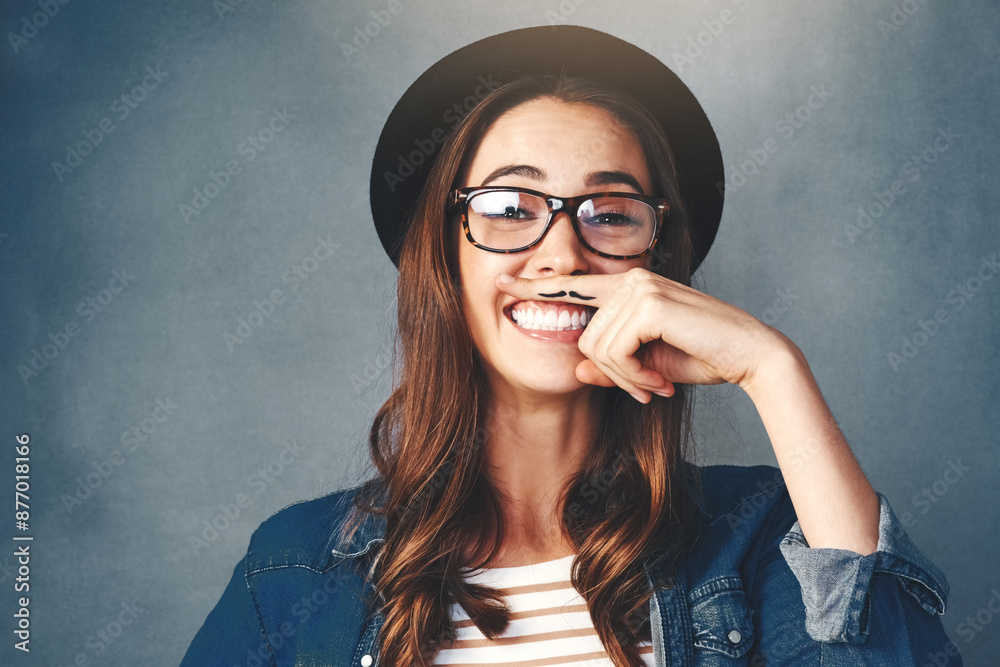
{"x": 650, "y": 332}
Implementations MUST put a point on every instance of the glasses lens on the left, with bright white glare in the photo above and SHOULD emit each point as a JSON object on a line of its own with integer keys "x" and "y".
{"x": 506, "y": 220}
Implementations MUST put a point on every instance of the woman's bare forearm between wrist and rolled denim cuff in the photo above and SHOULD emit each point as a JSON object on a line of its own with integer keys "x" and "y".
{"x": 835, "y": 505}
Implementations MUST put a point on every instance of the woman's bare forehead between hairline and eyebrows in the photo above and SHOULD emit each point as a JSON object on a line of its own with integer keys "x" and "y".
{"x": 565, "y": 141}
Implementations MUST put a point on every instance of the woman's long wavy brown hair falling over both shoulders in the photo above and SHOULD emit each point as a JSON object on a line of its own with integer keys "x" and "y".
{"x": 630, "y": 500}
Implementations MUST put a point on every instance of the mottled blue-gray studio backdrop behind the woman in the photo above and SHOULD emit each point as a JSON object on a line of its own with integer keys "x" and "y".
{"x": 147, "y": 421}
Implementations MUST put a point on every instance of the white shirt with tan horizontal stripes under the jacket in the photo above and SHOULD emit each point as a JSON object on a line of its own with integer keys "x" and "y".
{"x": 550, "y": 623}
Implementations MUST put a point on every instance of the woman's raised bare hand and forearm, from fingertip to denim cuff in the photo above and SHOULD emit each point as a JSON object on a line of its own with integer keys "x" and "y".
{"x": 650, "y": 332}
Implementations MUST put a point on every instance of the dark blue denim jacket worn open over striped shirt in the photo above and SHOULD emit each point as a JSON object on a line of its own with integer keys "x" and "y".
{"x": 751, "y": 592}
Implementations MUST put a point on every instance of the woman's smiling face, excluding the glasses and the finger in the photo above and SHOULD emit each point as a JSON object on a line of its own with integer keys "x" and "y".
{"x": 565, "y": 150}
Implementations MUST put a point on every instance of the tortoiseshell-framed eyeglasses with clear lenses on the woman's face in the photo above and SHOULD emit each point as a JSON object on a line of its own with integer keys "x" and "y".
{"x": 616, "y": 225}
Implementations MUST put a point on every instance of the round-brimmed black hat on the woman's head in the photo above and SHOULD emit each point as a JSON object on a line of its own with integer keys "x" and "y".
{"x": 451, "y": 87}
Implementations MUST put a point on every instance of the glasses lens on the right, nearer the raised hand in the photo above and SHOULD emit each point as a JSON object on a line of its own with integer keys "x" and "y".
{"x": 617, "y": 225}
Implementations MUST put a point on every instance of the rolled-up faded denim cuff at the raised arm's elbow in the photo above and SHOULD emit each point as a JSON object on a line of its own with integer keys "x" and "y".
{"x": 836, "y": 583}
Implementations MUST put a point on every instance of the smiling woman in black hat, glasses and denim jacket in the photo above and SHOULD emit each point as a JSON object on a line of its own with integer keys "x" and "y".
{"x": 532, "y": 504}
